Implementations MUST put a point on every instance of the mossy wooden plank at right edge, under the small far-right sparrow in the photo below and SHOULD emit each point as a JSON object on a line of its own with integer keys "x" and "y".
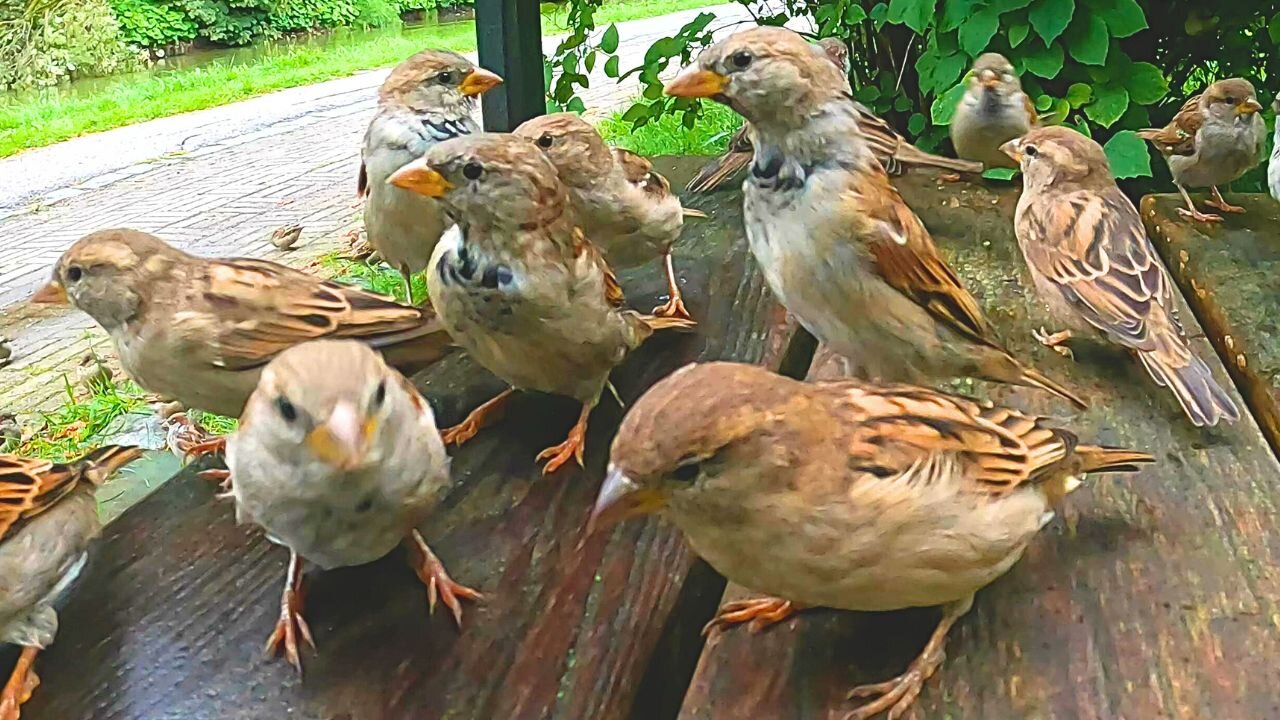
{"x": 1231, "y": 276}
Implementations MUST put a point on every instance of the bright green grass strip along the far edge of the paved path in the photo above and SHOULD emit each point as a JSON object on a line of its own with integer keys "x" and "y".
{"x": 35, "y": 121}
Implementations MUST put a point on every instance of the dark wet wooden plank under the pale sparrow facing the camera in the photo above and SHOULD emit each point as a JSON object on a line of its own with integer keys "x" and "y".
{"x": 172, "y": 617}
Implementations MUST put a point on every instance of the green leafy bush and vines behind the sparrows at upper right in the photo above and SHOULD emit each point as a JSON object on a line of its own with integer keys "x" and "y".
{"x": 1105, "y": 67}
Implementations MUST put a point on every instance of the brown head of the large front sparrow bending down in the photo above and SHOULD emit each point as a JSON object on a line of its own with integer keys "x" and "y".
{"x": 696, "y": 431}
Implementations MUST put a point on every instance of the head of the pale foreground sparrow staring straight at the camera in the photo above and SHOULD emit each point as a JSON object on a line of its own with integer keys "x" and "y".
{"x": 331, "y": 402}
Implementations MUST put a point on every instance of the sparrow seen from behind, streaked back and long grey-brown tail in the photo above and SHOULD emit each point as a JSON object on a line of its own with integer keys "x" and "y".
{"x": 1096, "y": 270}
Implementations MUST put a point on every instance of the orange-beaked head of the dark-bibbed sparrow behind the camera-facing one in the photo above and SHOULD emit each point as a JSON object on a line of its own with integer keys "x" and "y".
{"x": 488, "y": 179}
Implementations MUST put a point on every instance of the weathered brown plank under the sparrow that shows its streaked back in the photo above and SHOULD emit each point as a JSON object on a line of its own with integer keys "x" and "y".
{"x": 1153, "y": 596}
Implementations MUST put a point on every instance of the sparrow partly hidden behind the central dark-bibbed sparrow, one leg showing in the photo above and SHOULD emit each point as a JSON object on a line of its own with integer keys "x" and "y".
{"x": 625, "y": 207}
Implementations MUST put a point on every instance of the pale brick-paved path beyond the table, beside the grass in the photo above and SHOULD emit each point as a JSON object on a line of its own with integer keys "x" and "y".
{"x": 214, "y": 183}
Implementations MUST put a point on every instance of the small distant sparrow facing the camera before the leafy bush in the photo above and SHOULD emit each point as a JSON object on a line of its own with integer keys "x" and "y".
{"x": 993, "y": 112}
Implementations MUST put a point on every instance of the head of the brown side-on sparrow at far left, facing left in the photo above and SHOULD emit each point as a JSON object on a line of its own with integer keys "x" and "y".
{"x": 107, "y": 275}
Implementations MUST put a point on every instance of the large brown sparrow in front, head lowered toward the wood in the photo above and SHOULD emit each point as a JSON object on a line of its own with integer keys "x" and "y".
{"x": 844, "y": 495}
